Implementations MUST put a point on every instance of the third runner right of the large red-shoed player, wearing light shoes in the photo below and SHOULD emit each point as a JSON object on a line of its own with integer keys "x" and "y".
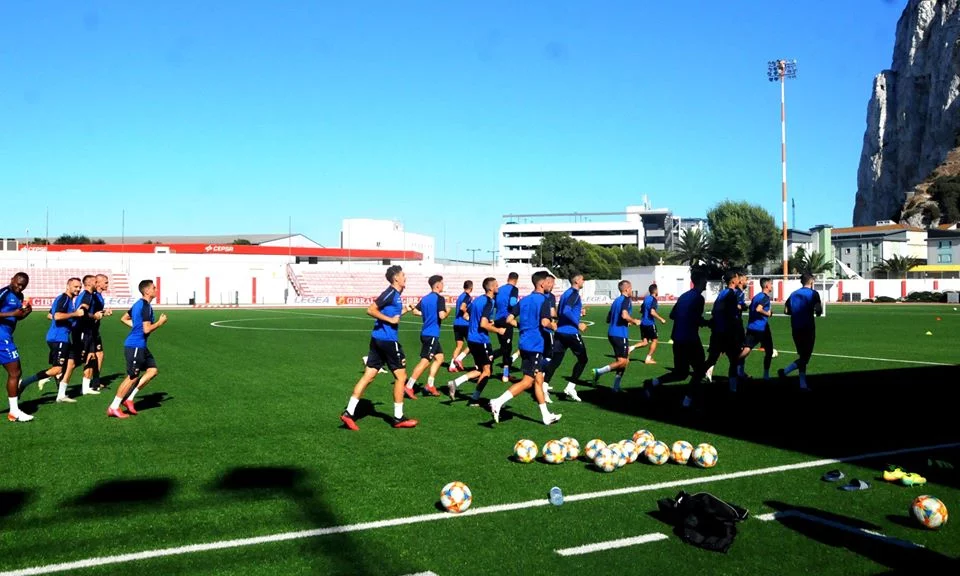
{"x": 482, "y": 311}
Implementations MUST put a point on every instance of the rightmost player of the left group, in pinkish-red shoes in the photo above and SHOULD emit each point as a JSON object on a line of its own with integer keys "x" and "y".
{"x": 141, "y": 365}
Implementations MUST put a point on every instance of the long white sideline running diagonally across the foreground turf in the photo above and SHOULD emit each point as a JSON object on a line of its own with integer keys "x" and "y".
{"x": 494, "y": 509}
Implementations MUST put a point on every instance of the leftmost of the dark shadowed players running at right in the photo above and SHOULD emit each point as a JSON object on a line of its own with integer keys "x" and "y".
{"x": 687, "y": 316}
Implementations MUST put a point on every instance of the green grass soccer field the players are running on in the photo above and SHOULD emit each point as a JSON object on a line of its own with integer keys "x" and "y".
{"x": 239, "y": 437}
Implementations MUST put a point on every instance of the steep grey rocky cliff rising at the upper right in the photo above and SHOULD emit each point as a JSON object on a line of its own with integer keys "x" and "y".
{"x": 913, "y": 118}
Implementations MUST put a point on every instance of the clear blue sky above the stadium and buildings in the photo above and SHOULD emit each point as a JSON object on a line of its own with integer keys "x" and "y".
{"x": 233, "y": 116}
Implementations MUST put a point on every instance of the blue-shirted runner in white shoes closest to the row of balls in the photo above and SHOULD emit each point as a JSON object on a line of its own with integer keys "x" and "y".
{"x": 532, "y": 318}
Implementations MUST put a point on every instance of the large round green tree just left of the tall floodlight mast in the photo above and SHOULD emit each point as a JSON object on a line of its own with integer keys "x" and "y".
{"x": 741, "y": 234}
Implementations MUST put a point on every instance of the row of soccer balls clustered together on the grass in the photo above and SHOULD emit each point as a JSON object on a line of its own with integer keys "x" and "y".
{"x": 609, "y": 457}
